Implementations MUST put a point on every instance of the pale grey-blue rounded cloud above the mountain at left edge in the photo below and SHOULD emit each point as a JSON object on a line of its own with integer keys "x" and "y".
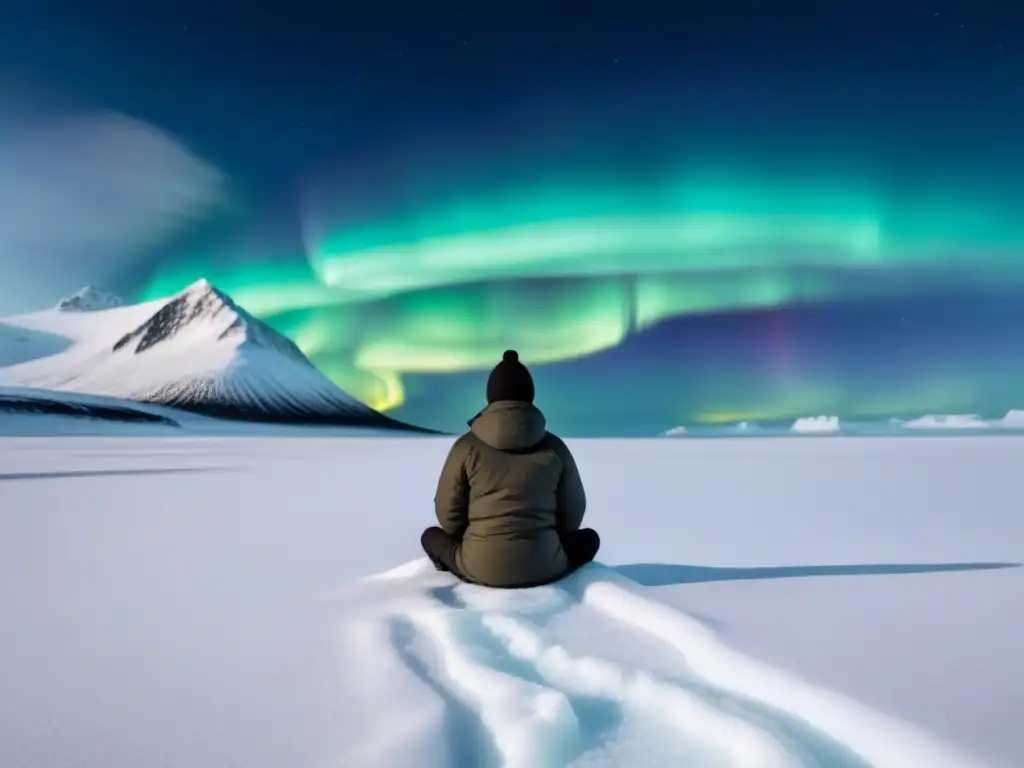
{"x": 82, "y": 197}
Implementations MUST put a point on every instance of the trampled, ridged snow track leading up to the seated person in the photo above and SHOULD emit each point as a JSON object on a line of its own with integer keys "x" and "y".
{"x": 537, "y": 697}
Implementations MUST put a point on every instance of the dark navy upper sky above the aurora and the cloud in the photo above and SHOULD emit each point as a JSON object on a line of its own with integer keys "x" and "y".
{"x": 270, "y": 91}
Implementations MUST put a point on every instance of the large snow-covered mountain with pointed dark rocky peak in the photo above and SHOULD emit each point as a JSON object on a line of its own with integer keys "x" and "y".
{"x": 197, "y": 351}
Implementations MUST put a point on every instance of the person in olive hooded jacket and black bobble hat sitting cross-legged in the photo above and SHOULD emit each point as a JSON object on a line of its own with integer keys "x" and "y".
{"x": 510, "y": 501}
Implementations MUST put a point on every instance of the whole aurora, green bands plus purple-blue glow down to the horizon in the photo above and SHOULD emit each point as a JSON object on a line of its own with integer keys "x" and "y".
{"x": 603, "y": 290}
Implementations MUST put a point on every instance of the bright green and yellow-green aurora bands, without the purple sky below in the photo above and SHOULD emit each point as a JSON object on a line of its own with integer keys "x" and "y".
{"x": 583, "y": 268}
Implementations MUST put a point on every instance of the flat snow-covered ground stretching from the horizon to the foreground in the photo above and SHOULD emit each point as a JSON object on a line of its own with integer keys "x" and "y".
{"x": 204, "y": 602}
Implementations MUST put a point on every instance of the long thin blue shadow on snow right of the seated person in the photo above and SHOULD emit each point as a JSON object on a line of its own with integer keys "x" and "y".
{"x": 666, "y": 575}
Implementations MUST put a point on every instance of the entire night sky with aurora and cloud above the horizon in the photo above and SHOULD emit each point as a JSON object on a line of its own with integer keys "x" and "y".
{"x": 716, "y": 212}
